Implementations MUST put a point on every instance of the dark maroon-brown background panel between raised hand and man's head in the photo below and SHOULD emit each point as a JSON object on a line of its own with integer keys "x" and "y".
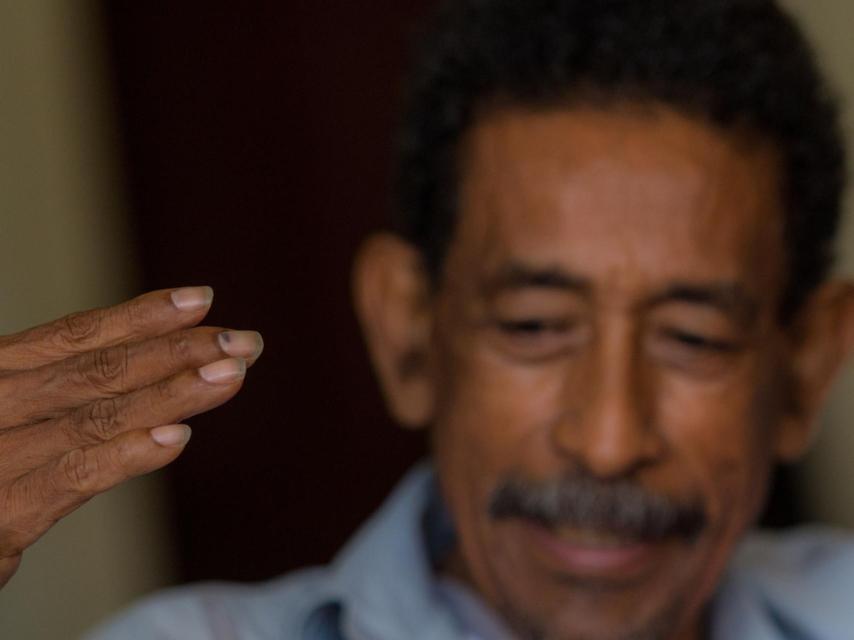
{"x": 257, "y": 143}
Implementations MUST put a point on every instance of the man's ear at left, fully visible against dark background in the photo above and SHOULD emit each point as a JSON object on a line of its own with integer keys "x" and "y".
{"x": 392, "y": 298}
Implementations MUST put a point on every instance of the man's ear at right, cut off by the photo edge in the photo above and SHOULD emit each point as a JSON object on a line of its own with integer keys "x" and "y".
{"x": 822, "y": 339}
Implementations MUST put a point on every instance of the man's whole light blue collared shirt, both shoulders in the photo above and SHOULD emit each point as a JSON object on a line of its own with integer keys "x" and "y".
{"x": 382, "y": 586}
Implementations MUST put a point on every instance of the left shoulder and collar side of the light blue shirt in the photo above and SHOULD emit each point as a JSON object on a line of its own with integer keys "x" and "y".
{"x": 381, "y": 579}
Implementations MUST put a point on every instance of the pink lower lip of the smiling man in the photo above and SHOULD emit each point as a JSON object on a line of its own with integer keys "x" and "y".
{"x": 621, "y": 561}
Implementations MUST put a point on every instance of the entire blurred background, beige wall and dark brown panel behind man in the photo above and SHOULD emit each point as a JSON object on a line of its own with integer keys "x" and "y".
{"x": 244, "y": 146}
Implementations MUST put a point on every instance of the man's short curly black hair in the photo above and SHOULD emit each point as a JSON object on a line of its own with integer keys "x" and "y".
{"x": 733, "y": 63}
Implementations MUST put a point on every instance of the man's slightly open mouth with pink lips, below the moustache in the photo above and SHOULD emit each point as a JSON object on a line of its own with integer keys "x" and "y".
{"x": 593, "y": 554}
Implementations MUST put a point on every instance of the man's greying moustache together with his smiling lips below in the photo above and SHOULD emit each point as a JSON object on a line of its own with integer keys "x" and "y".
{"x": 582, "y": 529}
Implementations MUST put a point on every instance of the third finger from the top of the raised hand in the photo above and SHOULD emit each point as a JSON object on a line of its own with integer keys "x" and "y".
{"x": 169, "y": 401}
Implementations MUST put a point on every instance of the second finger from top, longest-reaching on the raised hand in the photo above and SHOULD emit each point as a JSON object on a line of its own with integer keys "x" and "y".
{"x": 53, "y": 389}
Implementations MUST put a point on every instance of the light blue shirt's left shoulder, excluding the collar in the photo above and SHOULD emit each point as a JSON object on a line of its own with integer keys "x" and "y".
{"x": 220, "y": 611}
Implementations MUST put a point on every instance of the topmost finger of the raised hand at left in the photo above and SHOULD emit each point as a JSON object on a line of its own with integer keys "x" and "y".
{"x": 152, "y": 314}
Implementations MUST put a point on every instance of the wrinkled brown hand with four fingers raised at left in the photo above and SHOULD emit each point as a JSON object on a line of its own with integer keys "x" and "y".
{"x": 96, "y": 398}
